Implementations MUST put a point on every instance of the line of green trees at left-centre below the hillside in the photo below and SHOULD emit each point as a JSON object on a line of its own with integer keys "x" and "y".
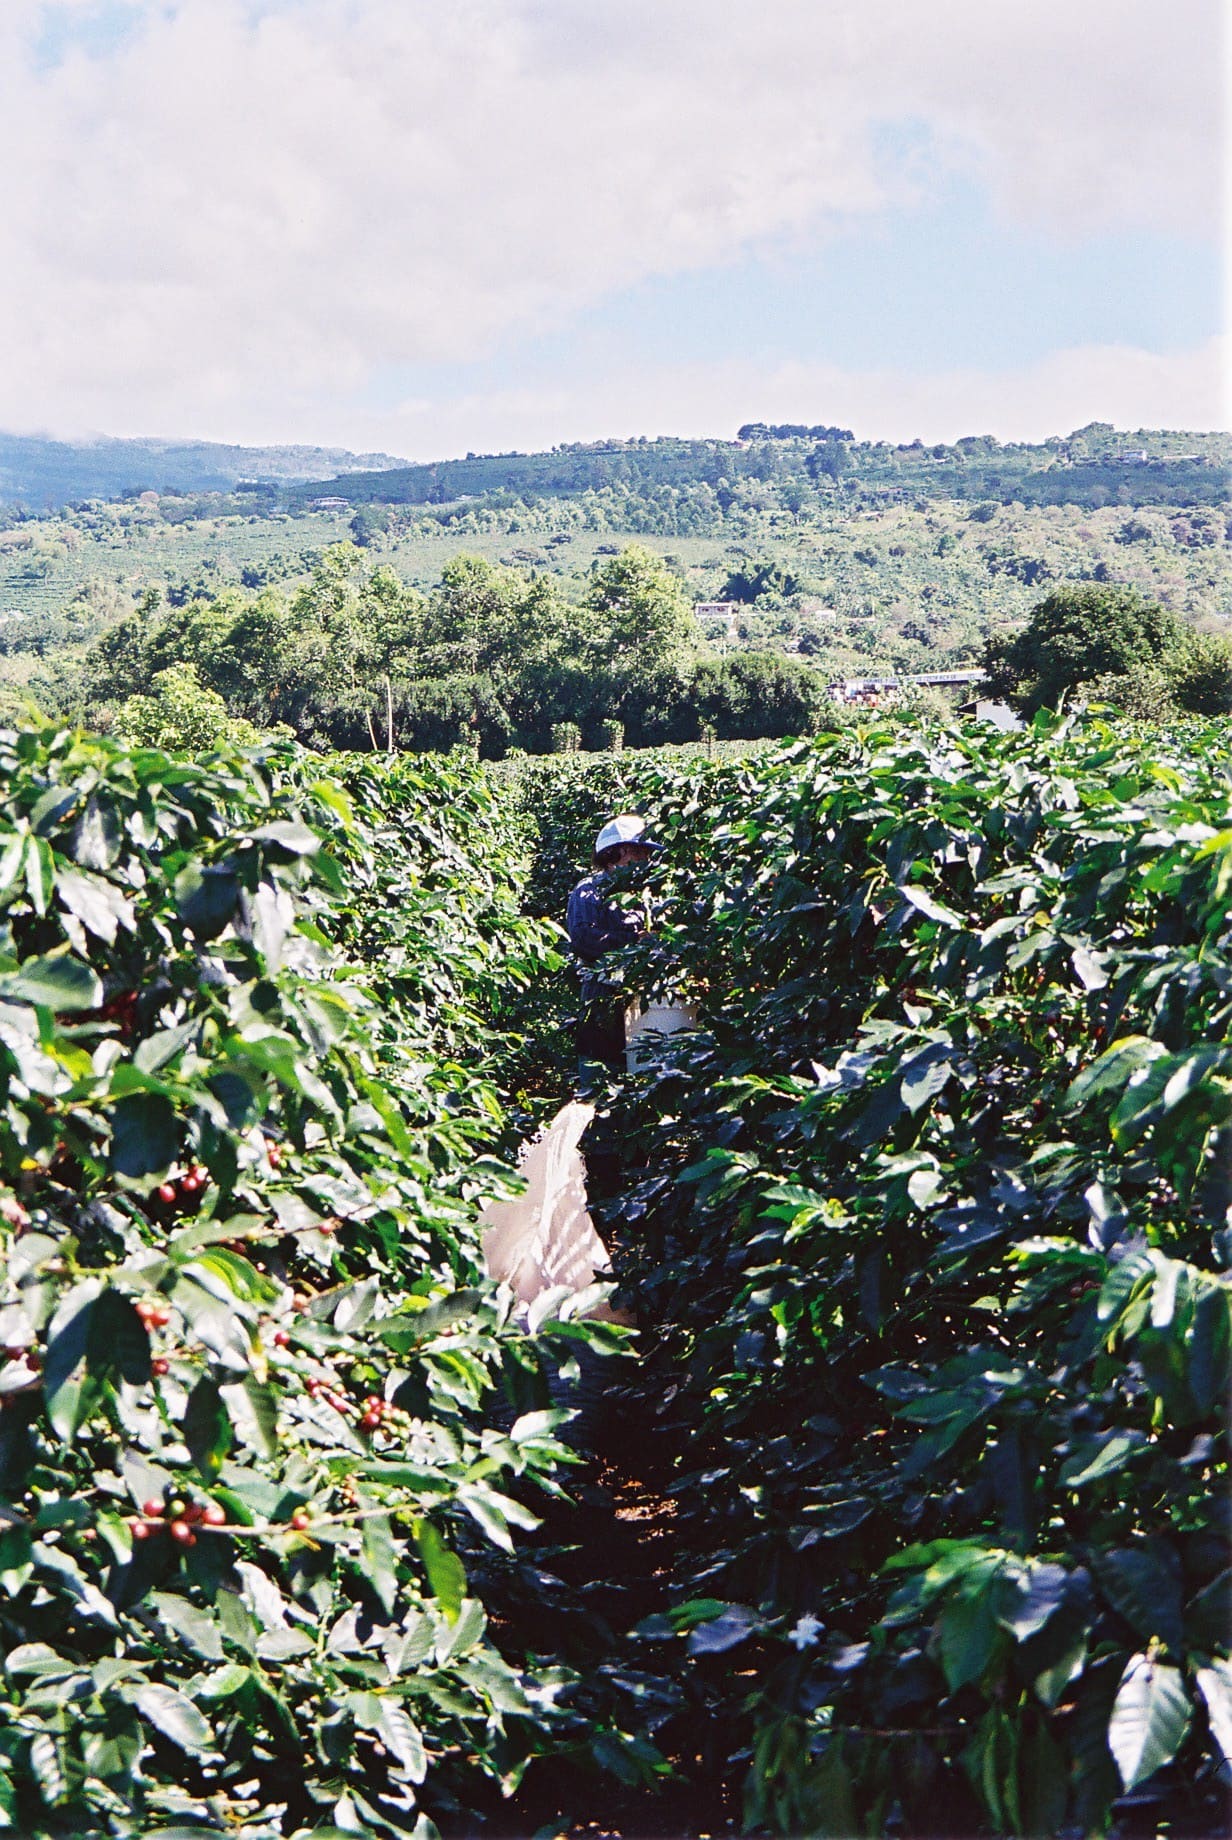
{"x": 492, "y": 658}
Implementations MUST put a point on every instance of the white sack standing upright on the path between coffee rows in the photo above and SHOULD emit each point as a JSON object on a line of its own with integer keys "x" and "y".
{"x": 547, "y": 1237}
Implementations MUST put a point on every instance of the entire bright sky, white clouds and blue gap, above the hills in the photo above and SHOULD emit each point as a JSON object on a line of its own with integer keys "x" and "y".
{"x": 485, "y": 225}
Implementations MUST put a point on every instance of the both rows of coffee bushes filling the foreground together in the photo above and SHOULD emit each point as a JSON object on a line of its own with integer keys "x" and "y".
{"x": 926, "y": 1228}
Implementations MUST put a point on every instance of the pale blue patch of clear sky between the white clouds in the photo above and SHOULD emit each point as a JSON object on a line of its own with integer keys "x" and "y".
{"x": 915, "y": 290}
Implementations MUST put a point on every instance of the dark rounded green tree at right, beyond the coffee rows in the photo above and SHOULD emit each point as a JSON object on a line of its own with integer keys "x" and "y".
{"x": 1077, "y": 634}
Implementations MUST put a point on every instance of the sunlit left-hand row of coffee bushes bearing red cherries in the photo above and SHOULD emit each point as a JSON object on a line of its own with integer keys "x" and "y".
{"x": 240, "y": 1169}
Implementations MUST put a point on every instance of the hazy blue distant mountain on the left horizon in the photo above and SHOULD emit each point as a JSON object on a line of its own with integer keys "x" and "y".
{"x": 43, "y": 474}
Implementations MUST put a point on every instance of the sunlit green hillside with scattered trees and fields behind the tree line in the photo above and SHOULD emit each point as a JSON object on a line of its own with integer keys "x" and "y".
{"x": 852, "y": 555}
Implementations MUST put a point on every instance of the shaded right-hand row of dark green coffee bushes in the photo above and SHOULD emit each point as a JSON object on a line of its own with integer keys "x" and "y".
{"x": 931, "y": 1250}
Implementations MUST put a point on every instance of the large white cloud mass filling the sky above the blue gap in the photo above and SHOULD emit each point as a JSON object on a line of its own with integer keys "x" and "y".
{"x": 247, "y": 213}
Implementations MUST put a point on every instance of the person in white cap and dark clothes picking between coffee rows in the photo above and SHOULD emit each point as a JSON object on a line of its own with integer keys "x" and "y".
{"x": 599, "y": 926}
